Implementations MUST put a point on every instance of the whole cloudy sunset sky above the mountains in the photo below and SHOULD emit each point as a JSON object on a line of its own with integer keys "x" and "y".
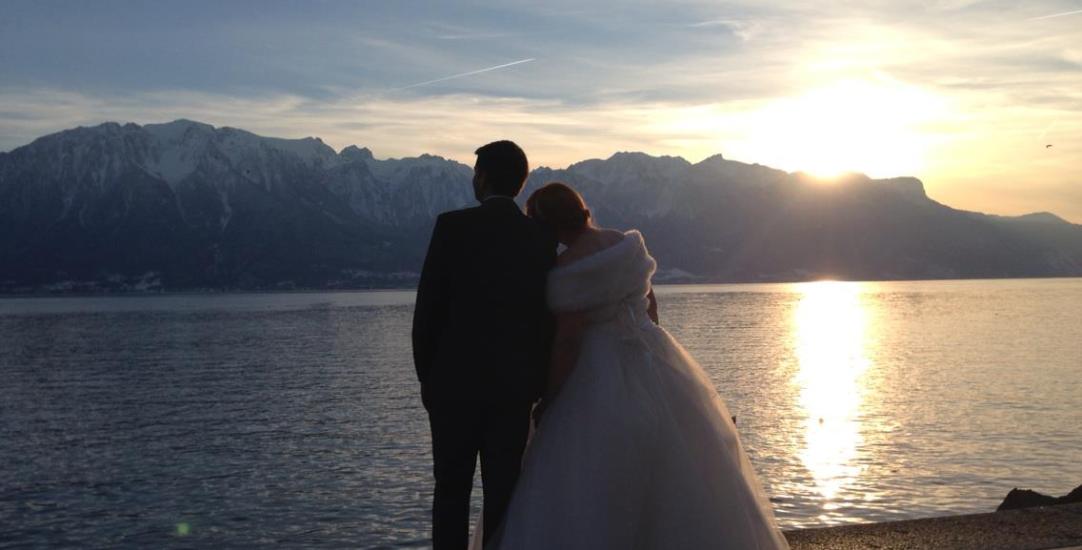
{"x": 967, "y": 96}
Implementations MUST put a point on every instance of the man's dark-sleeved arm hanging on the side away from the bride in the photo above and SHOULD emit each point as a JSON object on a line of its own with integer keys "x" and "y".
{"x": 430, "y": 313}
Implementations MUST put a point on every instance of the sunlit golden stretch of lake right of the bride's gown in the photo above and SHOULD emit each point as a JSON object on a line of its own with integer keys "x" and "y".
{"x": 935, "y": 397}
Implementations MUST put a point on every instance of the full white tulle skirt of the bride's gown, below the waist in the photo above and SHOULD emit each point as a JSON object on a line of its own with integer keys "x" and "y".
{"x": 638, "y": 452}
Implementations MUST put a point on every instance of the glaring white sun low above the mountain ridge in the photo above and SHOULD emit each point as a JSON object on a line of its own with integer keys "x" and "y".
{"x": 869, "y": 126}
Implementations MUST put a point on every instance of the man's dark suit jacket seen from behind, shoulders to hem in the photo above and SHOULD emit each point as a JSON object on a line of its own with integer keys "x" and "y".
{"x": 482, "y": 330}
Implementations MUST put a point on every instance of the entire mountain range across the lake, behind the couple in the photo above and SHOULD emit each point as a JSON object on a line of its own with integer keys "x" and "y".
{"x": 189, "y": 206}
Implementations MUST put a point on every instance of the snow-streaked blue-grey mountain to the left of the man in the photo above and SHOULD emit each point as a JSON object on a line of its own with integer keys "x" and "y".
{"x": 191, "y": 205}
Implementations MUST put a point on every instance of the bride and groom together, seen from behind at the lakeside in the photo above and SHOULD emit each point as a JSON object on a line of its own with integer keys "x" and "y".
{"x": 634, "y": 448}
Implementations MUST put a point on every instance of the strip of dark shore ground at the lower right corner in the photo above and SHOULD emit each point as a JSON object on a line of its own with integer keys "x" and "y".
{"x": 1033, "y": 529}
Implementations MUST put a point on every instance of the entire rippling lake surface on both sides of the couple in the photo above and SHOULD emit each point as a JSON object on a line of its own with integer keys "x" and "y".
{"x": 250, "y": 420}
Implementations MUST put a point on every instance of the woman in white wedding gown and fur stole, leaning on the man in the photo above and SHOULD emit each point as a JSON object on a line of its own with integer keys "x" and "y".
{"x": 635, "y": 449}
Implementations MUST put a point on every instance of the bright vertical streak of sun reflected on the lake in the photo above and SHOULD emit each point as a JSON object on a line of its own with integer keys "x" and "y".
{"x": 830, "y": 328}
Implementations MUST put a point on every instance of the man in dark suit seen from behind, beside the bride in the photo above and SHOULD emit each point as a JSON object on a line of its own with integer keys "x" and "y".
{"x": 482, "y": 335}
